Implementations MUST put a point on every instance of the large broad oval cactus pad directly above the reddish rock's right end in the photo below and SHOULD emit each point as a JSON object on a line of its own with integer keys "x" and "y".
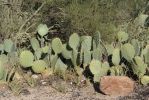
{"x": 128, "y": 51}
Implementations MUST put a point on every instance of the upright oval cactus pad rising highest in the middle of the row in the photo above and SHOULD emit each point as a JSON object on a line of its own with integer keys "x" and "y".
{"x": 74, "y": 41}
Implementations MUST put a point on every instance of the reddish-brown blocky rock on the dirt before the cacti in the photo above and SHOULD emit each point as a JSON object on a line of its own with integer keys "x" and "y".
{"x": 116, "y": 85}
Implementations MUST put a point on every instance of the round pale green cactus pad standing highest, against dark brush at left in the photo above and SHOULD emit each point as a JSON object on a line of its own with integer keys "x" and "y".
{"x": 42, "y": 29}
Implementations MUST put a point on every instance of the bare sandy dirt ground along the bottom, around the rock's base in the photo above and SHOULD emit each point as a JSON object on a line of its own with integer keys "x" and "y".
{"x": 61, "y": 90}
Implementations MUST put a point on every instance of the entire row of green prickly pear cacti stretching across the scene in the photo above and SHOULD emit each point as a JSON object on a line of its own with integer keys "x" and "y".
{"x": 88, "y": 51}
